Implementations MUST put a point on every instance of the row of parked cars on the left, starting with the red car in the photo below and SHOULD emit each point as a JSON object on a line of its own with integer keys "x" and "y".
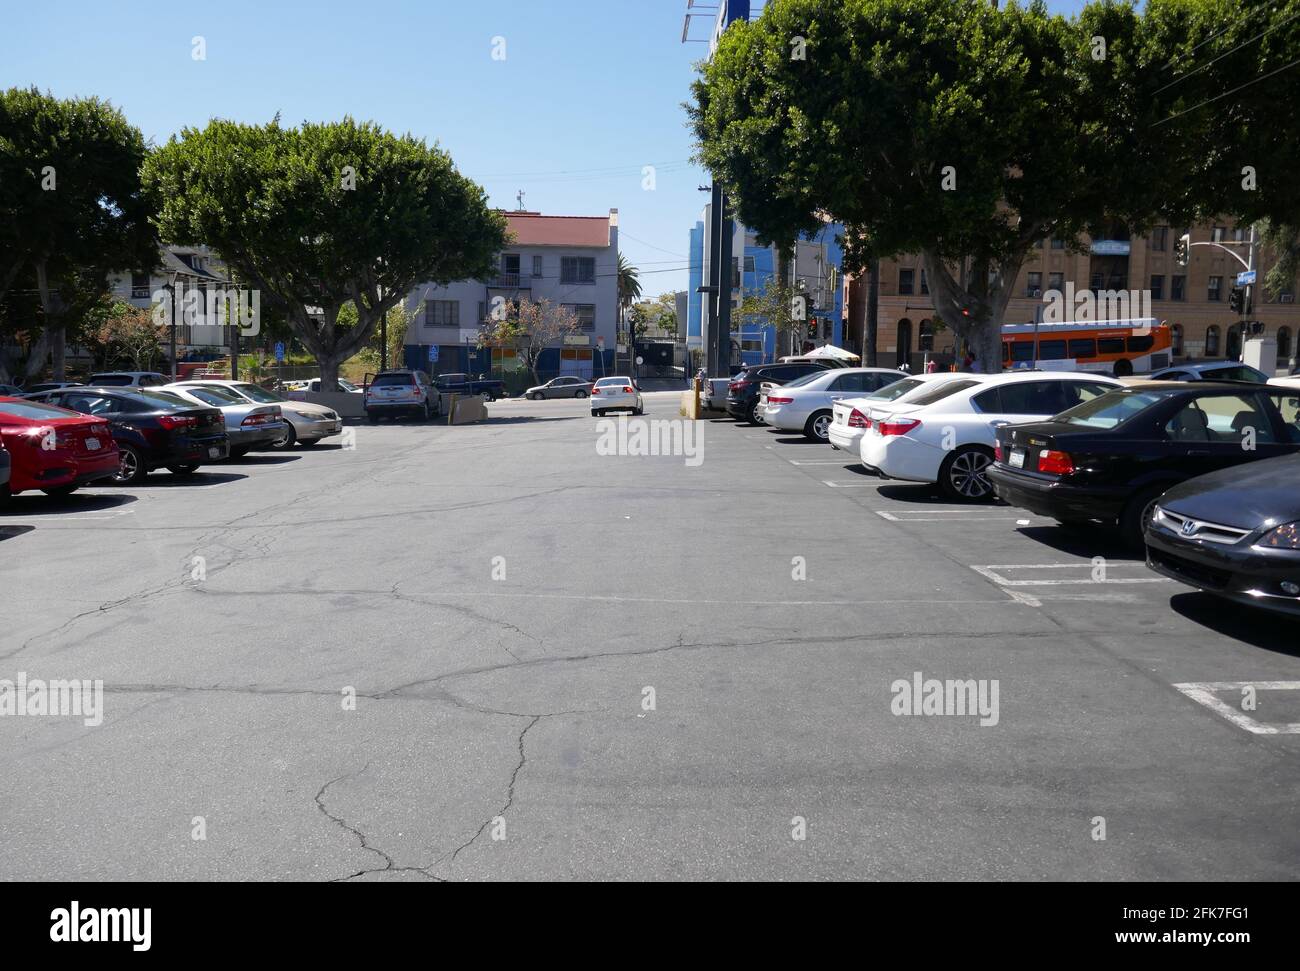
{"x": 63, "y": 439}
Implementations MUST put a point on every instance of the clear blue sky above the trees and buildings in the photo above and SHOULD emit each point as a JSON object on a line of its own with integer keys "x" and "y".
{"x": 590, "y": 92}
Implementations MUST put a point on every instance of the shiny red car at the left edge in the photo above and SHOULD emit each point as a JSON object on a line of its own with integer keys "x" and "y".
{"x": 53, "y": 449}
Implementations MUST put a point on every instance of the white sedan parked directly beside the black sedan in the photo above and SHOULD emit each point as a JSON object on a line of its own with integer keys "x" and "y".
{"x": 951, "y": 441}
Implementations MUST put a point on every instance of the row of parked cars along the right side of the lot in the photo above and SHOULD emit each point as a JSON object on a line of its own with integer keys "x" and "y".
{"x": 1199, "y": 473}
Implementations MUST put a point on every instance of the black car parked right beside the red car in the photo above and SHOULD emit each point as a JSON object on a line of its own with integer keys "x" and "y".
{"x": 153, "y": 430}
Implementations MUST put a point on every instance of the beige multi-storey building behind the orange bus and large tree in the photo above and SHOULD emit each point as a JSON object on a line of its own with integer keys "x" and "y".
{"x": 1193, "y": 300}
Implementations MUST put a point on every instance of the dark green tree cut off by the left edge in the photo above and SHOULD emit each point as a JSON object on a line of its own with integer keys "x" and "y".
{"x": 72, "y": 209}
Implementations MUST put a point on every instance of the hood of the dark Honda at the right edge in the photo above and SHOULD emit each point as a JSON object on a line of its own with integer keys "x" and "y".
{"x": 1243, "y": 496}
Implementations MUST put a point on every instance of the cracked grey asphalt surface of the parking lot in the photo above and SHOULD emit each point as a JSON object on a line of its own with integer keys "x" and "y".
{"x": 569, "y": 665}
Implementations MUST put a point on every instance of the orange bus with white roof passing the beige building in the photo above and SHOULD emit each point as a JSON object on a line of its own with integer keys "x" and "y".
{"x": 1119, "y": 348}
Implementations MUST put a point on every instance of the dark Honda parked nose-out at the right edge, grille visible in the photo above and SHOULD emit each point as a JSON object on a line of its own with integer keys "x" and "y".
{"x": 1234, "y": 534}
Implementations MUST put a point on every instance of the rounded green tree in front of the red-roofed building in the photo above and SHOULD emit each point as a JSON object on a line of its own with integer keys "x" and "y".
{"x": 326, "y": 215}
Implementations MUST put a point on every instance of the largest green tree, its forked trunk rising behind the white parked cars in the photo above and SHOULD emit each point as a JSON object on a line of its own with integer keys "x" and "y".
{"x": 947, "y": 128}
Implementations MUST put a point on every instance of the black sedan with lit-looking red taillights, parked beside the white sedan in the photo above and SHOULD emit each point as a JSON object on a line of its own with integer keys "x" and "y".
{"x": 1112, "y": 457}
